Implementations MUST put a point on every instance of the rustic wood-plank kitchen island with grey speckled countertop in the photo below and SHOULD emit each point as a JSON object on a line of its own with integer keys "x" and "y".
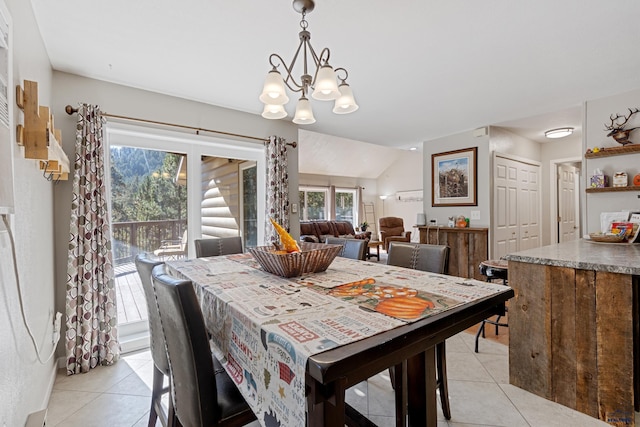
{"x": 574, "y": 326}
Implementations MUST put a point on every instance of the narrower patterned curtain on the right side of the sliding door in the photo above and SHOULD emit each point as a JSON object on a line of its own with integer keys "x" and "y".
{"x": 277, "y": 187}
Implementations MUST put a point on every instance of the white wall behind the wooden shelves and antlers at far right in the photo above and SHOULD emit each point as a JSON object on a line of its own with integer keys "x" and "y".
{"x": 597, "y": 115}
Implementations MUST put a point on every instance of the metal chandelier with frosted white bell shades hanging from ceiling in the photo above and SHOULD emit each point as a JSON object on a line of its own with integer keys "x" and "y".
{"x": 323, "y": 80}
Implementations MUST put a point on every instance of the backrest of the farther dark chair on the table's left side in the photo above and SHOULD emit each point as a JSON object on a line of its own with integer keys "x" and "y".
{"x": 144, "y": 265}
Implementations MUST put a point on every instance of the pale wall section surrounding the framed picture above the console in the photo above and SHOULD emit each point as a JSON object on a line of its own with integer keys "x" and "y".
{"x": 458, "y": 142}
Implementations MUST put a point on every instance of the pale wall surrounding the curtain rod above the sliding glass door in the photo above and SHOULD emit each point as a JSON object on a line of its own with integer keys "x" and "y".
{"x": 126, "y": 101}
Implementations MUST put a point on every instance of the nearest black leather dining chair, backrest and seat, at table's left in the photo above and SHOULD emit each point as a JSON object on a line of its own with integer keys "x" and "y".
{"x": 203, "y": 394}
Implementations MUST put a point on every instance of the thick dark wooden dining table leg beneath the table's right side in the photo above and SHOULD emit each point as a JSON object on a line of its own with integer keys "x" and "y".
{"x": 421, "y": 385}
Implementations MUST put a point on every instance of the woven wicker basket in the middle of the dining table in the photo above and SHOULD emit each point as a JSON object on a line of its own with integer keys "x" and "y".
{"x": 315, "y": 257}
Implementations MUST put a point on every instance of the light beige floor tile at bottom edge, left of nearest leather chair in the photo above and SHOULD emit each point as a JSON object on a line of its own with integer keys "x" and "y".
{"x": 108, "y": 410}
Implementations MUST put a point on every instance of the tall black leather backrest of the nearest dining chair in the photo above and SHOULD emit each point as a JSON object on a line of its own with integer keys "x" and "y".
{"x": 192, "y": 373}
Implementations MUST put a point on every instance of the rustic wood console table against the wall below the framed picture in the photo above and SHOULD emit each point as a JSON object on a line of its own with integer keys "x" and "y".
{"x": 469, "y": 247}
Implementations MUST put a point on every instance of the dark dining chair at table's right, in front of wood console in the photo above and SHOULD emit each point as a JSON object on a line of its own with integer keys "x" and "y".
{"x": 434, "y": 259}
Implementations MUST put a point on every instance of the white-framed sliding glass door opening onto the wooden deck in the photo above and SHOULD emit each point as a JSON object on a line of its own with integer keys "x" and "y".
{"x": 167, "y": 189}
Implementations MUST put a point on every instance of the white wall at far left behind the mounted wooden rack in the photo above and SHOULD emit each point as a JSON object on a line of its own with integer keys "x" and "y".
{"x": 24, "y": 382}
